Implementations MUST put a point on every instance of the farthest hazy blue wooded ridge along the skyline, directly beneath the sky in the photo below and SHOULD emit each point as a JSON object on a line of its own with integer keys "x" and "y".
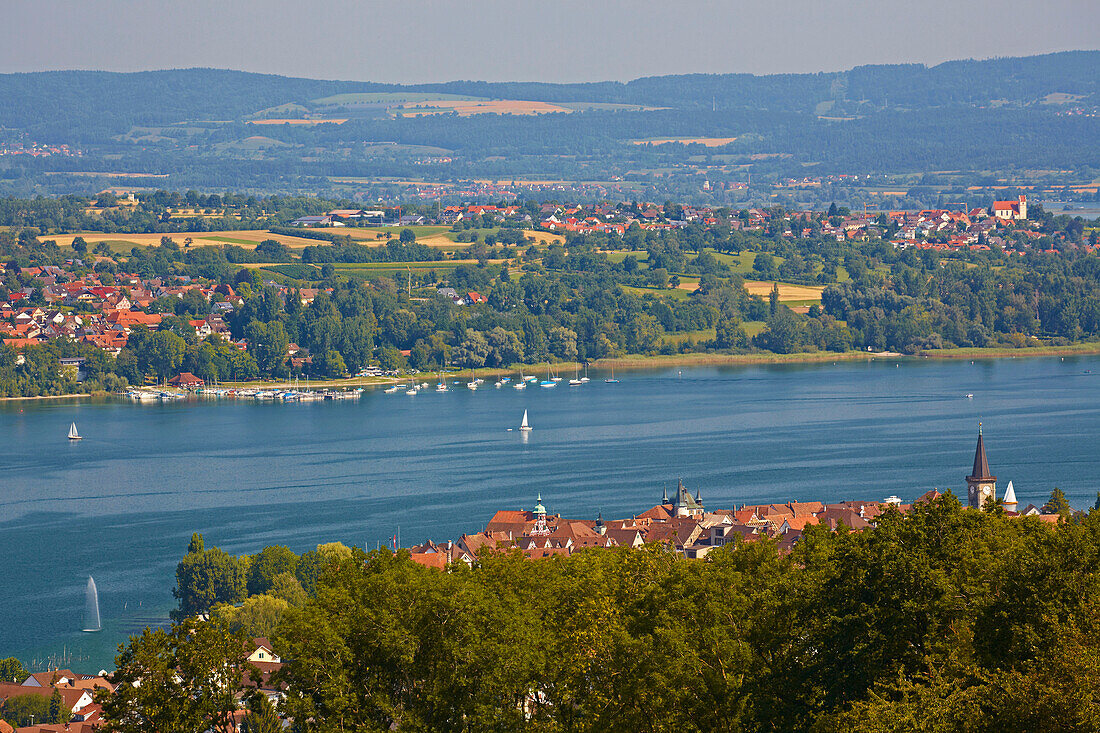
{"x": 49, "y": 104}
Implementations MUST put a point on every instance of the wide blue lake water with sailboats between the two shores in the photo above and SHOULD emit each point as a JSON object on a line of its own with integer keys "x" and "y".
{"x": 122, "y": 505}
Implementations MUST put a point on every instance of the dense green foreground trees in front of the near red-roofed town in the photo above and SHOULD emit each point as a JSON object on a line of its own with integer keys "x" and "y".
{"x": 941, "y": 619}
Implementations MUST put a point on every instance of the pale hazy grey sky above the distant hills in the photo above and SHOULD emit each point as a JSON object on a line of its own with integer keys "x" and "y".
{"x": 524, "y": 40}
